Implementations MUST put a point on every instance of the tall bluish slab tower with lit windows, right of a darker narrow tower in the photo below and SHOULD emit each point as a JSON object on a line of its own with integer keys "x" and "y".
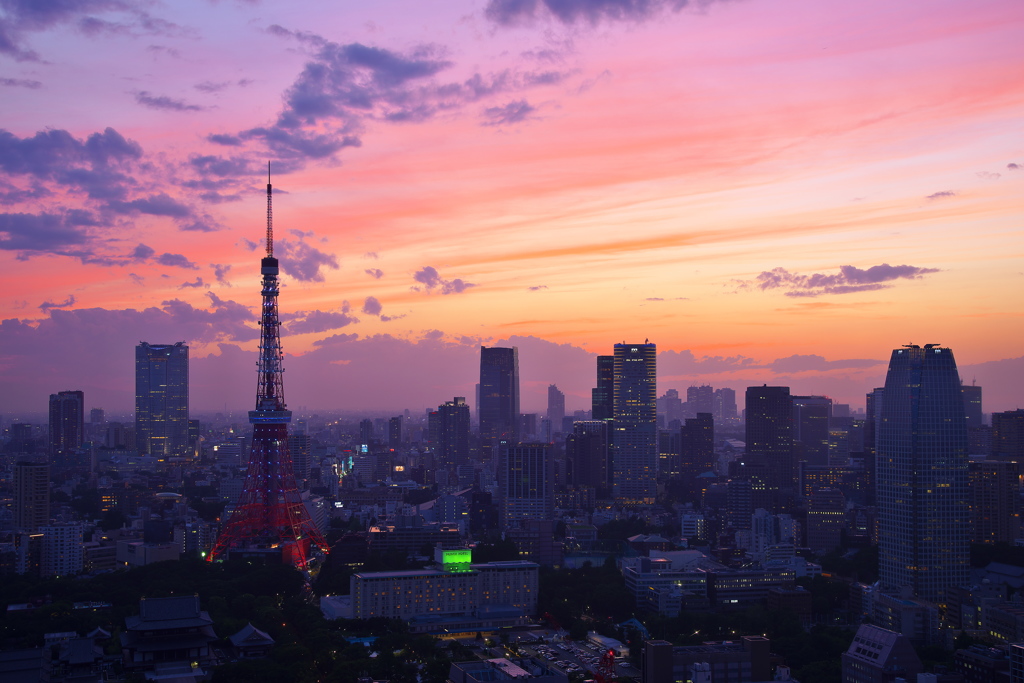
{"x": 634, "y": 441}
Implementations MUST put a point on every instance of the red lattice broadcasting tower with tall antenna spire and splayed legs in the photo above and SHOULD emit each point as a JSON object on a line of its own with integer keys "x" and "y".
{"x": 270, "y": 517}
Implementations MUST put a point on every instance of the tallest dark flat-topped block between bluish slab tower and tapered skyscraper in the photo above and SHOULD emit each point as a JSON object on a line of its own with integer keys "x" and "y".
{"x": 771, "y": 436}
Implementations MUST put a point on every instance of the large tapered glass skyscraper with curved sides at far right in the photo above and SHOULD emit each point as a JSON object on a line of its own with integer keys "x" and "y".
{"x": 924, "y": 511}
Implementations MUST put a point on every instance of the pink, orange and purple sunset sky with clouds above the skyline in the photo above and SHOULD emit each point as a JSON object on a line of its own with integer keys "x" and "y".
{"x": 772, "y": 192}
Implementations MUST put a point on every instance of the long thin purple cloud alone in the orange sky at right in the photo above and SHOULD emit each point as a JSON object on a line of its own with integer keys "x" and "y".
{"x": 849, "y": 280}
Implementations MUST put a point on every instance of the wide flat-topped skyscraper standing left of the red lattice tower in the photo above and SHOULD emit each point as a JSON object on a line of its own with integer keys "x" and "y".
{"x": 162, "y": 400}
